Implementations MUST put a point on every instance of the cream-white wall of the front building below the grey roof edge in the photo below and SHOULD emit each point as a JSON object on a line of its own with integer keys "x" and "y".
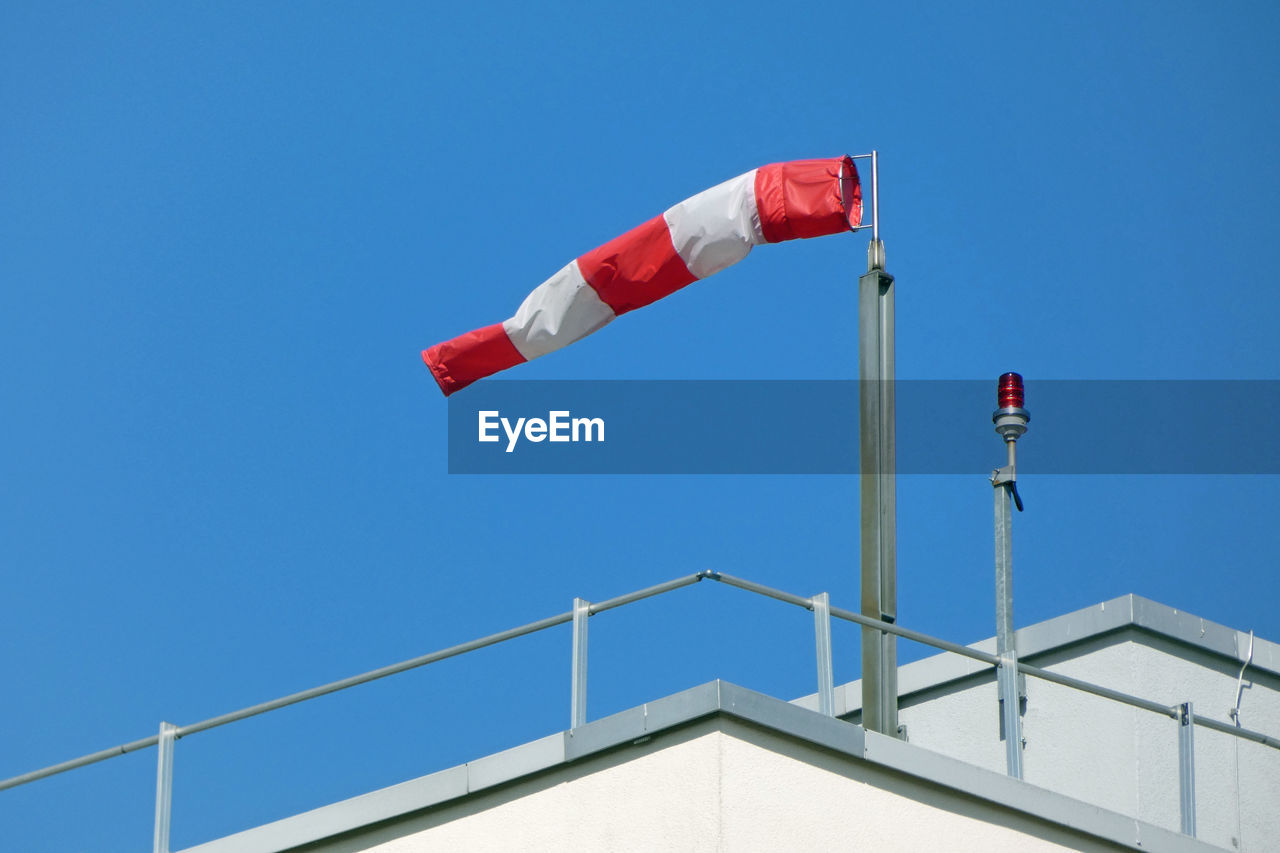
{"x": 724, "y": 787}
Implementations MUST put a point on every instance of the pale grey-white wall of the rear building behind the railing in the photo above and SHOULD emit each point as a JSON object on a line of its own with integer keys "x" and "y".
{"x": 1117, "y": 756}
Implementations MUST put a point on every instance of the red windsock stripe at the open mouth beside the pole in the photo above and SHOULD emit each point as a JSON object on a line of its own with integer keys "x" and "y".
{"x": 808, "y": 199}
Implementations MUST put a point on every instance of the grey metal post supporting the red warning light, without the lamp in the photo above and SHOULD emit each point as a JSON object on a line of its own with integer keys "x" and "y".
{"x": 1007, "y": 649}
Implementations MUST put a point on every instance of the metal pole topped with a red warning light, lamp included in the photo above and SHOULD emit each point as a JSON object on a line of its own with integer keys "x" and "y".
{"x": 1011, "y": 421}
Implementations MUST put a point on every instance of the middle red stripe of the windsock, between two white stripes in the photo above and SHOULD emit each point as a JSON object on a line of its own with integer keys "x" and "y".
{"x": 636, "y": 270}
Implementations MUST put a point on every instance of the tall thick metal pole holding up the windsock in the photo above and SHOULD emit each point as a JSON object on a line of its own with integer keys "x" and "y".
{"x": 879, "y": 496}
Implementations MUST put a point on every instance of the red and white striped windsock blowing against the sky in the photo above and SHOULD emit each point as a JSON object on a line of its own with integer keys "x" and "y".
{"x": 691, "y": 241}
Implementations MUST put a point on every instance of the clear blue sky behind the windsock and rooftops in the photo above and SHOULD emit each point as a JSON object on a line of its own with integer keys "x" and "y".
{"x": 228, "y": 230}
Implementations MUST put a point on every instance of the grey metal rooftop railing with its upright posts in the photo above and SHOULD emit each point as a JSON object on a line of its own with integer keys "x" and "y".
{"x": 822, "y": 612}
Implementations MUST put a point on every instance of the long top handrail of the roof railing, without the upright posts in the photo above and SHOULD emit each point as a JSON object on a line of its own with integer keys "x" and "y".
{"x": 650, "y": 592}
